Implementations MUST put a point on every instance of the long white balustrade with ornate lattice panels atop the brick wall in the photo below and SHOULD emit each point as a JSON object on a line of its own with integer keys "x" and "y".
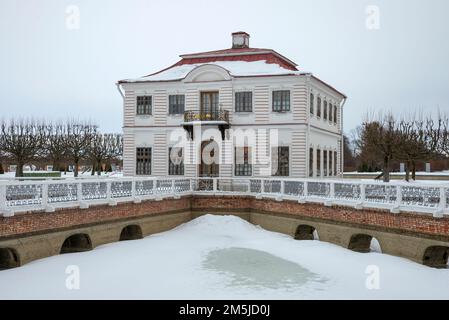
{"x": 47, "y": 195}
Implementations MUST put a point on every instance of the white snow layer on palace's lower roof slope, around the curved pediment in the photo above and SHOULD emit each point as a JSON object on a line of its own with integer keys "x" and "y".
{"x": 235, "y": 68}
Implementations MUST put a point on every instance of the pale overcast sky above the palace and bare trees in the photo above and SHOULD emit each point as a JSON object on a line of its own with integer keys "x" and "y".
{"x": 384, "y": 54}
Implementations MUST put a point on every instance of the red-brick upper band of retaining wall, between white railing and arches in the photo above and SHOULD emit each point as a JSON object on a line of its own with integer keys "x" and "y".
{"x": 30, "y": 223}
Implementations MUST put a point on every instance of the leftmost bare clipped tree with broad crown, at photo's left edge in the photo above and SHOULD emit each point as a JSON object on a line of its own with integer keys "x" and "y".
{"x": 21, "y": 141}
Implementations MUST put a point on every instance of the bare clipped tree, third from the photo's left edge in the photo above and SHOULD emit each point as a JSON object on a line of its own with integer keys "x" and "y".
{"x": 79, "y": 137}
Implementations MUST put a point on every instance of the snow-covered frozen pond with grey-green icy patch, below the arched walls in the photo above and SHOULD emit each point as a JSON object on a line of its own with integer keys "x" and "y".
{"x": 223, "y": 257}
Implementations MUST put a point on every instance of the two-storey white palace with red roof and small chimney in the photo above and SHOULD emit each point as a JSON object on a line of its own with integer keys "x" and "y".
{"x": 238, "y": 112}
